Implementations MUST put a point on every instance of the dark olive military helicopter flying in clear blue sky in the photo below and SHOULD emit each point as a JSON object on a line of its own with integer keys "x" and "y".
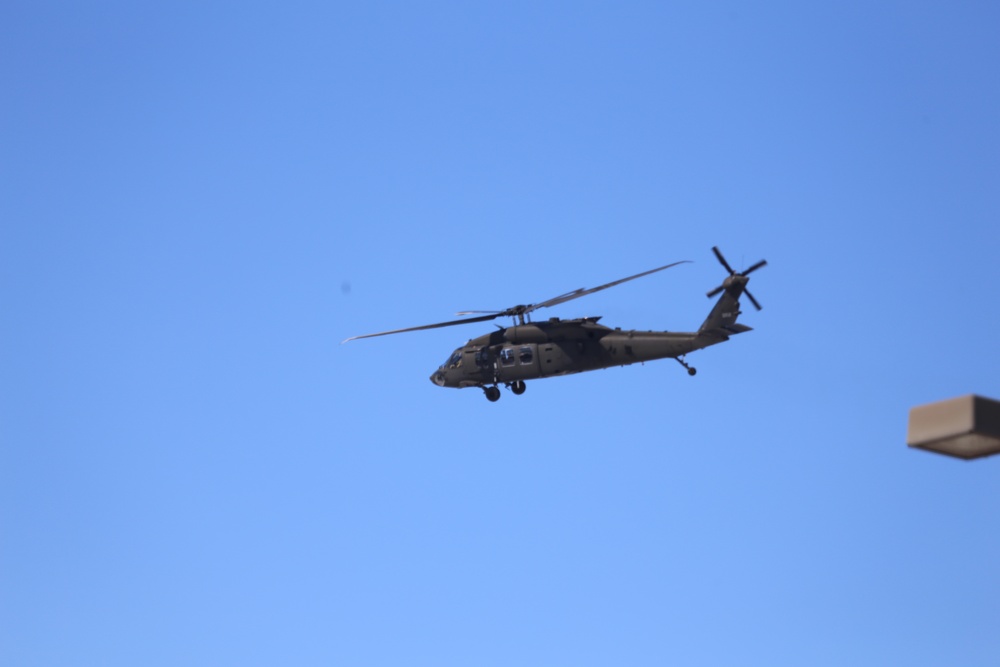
{"x": 529, "y": 350}
